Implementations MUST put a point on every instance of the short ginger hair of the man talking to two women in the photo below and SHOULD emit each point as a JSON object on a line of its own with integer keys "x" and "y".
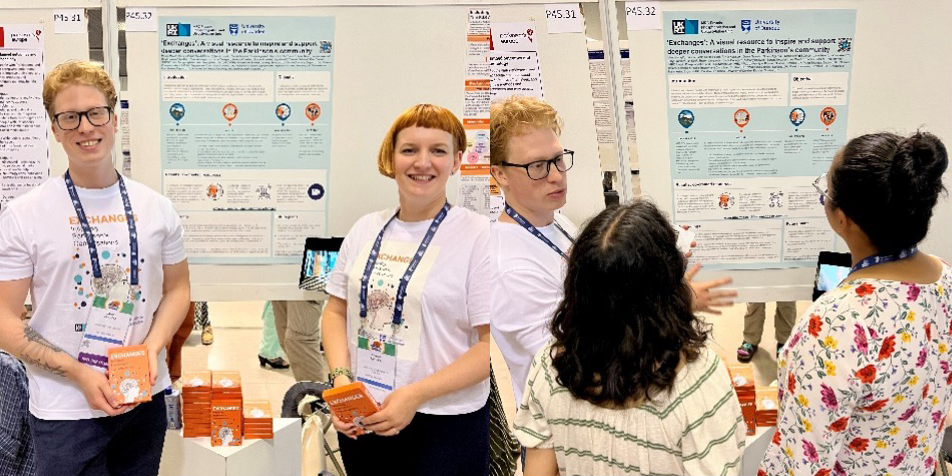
{"x": 515, "y": 116}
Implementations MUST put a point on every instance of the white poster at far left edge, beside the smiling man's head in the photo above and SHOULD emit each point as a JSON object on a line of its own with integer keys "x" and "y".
{"x": 24, "y": 150}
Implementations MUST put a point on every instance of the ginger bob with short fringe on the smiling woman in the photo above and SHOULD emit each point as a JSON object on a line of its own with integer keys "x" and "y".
{"x": 429, "y": 116}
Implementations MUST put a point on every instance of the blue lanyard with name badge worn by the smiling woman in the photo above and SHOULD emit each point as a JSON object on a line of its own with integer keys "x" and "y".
{"x": 377, "y": 360}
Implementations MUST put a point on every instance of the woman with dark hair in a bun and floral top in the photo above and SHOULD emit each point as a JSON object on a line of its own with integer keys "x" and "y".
{"x": 865, "y": 378}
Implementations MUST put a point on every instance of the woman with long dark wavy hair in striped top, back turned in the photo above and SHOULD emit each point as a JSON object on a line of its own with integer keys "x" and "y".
{"x": 627, "y": 386}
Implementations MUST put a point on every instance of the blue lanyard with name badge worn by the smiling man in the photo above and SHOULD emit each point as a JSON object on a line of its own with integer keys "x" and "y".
{"x": 109, "y": 318}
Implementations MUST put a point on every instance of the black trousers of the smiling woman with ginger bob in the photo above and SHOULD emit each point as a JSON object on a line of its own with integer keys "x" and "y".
{"x": 431, "y": 445}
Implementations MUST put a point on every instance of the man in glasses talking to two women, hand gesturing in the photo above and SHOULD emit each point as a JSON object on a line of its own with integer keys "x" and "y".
{"x": 530, "y": 244}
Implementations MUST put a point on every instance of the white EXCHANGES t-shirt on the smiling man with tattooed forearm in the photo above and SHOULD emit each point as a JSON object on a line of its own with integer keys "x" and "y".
{"x": 40, "y": 238}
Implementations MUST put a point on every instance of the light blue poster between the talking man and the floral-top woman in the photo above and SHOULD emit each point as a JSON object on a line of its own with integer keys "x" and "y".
{"x": 757, "y": 107}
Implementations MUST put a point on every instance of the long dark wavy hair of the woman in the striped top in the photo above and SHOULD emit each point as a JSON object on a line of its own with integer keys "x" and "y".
{"x": 625, "y": 320}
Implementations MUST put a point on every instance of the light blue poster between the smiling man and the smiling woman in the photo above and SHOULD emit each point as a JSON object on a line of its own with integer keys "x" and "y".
{"x": 246, "y": 133}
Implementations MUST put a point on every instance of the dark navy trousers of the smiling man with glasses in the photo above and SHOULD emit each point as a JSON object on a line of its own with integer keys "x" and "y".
{"x": 125, "y": 445}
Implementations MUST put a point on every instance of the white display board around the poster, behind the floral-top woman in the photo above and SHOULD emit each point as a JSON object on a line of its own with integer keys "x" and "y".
{"x": 891, "y": 90}
